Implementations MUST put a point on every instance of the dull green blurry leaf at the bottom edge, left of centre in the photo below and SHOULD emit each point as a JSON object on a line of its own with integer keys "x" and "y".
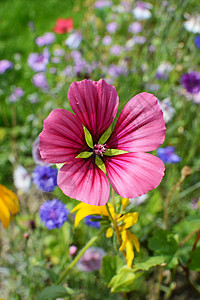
{"x": 53, "y": 292}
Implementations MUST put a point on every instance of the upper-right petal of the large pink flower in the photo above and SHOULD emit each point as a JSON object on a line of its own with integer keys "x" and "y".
{"x": 140, "y": 126}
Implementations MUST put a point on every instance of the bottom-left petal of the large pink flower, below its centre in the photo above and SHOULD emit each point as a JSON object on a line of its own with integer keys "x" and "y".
{"x": 84, "y": 181}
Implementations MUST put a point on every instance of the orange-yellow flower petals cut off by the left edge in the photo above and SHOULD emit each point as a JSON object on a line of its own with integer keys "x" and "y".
{"x": 9, "y": 205}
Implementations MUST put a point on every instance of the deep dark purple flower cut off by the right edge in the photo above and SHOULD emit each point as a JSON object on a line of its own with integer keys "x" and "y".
{"x": 191, "y": 82}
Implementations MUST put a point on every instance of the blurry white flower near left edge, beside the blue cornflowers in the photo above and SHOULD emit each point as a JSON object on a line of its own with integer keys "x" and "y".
{"x": 22, "y": 179}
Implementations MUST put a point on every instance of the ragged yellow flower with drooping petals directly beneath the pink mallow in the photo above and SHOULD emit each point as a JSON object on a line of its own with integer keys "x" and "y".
{"x": 123, "y": 221}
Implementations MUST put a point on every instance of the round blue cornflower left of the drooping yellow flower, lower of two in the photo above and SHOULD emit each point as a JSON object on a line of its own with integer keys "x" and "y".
{"x": 53, "y": 213}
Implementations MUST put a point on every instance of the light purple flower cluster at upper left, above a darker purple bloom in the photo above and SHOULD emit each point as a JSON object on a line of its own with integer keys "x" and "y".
{"x": 38, "y": 61}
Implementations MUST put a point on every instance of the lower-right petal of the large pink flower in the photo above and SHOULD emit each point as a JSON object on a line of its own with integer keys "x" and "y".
{"x": 134, "y": 174}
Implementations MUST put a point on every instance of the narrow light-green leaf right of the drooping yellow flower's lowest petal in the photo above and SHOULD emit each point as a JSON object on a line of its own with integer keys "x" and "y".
{"x": 148, "y": 263}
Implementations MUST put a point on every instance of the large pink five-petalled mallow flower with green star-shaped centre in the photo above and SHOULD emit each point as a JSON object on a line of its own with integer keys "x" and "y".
{"x": 119, "y": 158}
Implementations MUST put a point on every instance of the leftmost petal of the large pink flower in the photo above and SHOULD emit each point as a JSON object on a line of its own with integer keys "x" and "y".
{"x": 62, "y": 137}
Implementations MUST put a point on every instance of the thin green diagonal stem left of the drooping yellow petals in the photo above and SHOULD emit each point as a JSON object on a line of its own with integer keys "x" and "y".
{"x": 79, "y": 255}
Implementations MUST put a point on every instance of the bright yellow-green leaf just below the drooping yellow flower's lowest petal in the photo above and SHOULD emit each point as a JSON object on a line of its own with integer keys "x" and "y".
{"x": 125, "y": 281}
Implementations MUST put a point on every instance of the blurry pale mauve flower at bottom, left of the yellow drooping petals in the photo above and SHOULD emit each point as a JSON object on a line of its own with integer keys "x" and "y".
{"x": 91, "y": 259}
